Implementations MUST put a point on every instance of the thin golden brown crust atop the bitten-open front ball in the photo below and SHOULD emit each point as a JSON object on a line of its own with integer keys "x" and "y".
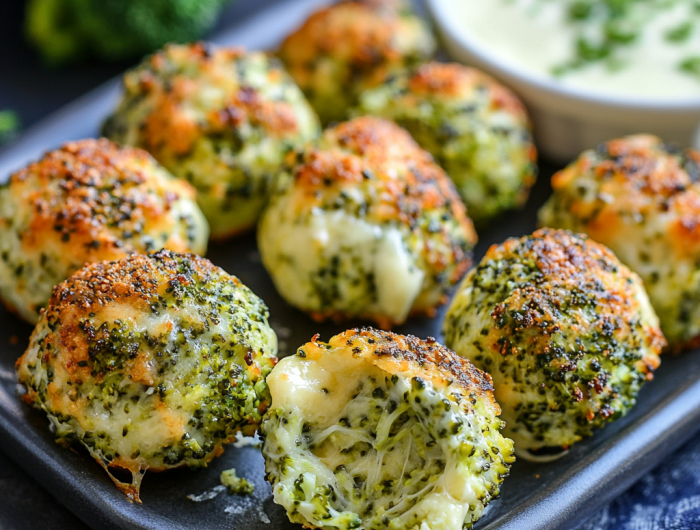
{"x": 409, "y": 355}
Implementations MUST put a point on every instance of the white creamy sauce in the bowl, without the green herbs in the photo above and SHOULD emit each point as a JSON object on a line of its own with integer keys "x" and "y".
{"x": 537, "y": 35}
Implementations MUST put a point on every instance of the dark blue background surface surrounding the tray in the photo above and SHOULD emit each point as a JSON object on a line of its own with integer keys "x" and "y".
{"x": 666, "y": 499}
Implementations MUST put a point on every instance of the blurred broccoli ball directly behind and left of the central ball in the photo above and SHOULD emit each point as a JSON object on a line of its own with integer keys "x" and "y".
{"x": 223, "y": 119}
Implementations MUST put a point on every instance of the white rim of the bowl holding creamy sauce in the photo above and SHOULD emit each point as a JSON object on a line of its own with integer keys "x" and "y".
{"x": 449, "y": 26}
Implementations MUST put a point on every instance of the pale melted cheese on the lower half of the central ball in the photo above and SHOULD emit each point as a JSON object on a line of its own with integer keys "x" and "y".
{"x": 298, "y": 251}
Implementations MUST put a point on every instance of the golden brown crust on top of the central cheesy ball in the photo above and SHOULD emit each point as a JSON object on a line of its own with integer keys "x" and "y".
{"x": 408, "y": 180}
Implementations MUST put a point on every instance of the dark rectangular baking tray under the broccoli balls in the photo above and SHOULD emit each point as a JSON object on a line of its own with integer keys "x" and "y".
{"x": 558, "y": 495}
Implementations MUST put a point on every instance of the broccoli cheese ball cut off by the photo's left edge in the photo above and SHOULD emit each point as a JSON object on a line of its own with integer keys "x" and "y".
{"x": 88, "y": 201}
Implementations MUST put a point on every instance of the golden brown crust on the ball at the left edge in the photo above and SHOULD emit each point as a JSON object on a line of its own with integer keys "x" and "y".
{"x": 103, "y": 188}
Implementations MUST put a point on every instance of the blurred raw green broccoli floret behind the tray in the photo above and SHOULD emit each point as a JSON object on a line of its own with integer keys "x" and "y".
{"x": 69, "y": 30}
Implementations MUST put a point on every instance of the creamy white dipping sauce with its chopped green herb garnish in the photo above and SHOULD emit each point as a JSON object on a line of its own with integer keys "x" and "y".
{"x": 636, "y": 48}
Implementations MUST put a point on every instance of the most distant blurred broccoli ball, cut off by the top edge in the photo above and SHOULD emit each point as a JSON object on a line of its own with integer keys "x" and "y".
{"x": 348, "y": 47}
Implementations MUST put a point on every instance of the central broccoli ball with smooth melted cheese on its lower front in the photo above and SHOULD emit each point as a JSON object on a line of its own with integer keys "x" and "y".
{"x": 365, "y": 225}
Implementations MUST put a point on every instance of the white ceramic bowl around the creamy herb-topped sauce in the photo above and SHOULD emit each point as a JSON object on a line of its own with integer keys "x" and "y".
{"x": 568, "y": 120}
